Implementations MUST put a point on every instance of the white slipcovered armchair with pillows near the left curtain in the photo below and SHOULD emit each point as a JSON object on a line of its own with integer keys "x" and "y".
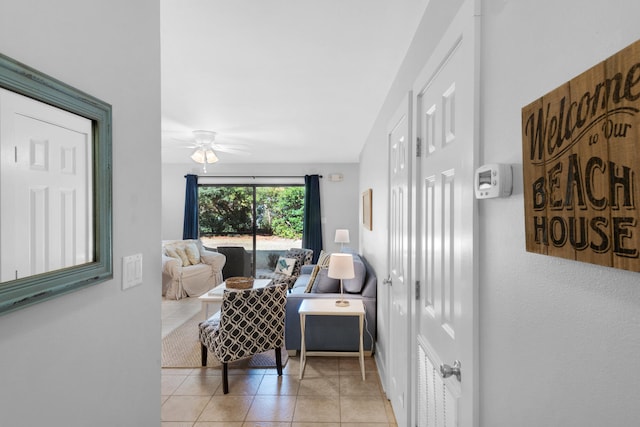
{"x": 188, "y": 269}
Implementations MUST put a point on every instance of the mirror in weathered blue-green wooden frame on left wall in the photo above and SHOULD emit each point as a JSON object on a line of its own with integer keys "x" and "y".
{"x": 55, "y": 188}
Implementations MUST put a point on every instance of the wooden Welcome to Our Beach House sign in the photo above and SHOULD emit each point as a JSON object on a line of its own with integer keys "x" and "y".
{"x": 581, "y": 161}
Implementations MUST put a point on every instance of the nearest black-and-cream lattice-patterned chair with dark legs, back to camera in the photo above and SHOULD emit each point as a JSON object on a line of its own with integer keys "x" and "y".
{"x": 250, "y": 322}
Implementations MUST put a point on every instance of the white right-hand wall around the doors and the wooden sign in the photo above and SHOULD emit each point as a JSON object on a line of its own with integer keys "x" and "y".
{"x": 559, "y": 340}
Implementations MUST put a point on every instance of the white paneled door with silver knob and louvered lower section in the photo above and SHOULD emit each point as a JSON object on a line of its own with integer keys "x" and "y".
{"x": 446, "y": 214}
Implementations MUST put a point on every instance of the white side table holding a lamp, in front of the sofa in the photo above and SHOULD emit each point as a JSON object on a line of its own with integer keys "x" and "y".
{"x": 327, "y": 307}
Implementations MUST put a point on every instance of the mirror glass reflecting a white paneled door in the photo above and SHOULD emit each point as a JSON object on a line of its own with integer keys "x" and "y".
{"x": 46, "y": 215}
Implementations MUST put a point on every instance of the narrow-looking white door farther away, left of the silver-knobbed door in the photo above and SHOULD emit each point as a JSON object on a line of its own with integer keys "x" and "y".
{"x": 399, "y": 141}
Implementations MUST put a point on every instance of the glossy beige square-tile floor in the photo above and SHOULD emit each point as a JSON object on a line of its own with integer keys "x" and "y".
{"x": 331, "y": 394}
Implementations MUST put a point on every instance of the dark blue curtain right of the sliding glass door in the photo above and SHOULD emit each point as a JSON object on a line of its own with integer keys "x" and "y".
{"x": 312, "y": 226}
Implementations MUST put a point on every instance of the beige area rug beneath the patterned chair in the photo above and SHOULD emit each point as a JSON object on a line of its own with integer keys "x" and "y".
{"x": 181, "y": 349}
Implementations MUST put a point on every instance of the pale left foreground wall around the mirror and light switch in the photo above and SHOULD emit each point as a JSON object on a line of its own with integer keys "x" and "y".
{"x": 92, "y": 357}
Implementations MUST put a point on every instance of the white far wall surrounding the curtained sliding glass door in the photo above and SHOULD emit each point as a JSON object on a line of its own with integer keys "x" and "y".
{"x": 339, "y": 200}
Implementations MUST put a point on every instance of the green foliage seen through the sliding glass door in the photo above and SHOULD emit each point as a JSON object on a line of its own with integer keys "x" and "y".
{"x": 225, "y": 210}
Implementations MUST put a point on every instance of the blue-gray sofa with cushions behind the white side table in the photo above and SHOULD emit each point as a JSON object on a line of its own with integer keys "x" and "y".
{"x": 332, "y": 333}
